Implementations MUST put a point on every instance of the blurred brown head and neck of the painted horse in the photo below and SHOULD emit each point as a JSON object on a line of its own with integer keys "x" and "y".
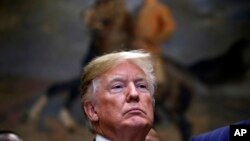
{"x": 110, "y": 25}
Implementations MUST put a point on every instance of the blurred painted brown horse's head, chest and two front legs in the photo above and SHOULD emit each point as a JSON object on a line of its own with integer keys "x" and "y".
{"x": 109, "y": 24}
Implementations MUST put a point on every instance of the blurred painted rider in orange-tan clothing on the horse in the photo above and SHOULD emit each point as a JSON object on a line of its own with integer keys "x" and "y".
{"x": 154, "y": 26}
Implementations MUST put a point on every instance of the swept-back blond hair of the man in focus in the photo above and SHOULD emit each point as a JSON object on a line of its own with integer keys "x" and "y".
{"x": 104, "y": 63}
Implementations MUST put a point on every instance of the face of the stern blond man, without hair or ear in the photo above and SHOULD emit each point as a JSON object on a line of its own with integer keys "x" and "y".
{"x": 123, "y": 98}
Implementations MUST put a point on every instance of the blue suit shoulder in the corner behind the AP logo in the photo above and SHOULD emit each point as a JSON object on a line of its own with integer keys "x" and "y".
{"x": 220, "y": 134}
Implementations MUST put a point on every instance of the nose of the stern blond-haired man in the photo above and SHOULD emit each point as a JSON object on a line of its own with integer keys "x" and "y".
{"x": 132, "y": 94}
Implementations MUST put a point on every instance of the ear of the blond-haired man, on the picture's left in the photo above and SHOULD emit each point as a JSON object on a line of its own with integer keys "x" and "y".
{"x": 90, "y": 111}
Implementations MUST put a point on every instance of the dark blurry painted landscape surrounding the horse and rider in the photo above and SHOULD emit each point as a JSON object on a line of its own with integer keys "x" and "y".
{"x": 42, "y": 42}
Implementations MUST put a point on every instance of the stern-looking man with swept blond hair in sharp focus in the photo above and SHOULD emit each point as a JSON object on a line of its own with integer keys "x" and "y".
{"x": 117, "y": 92}
